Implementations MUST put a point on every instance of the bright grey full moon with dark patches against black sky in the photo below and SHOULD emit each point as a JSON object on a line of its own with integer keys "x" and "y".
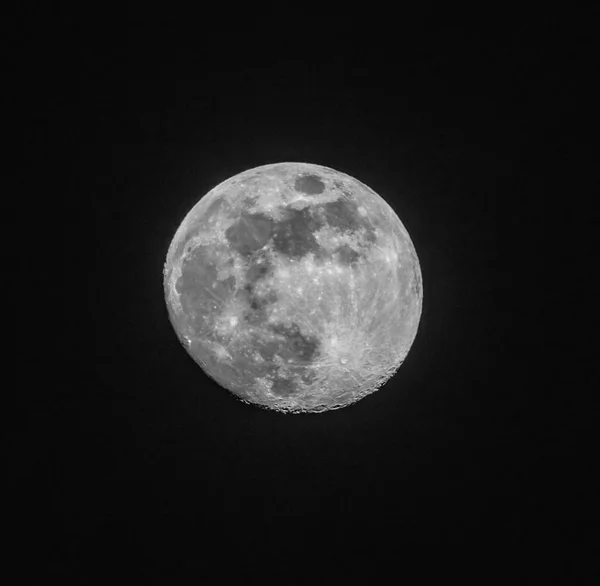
{"x": 294, "y": 286}
